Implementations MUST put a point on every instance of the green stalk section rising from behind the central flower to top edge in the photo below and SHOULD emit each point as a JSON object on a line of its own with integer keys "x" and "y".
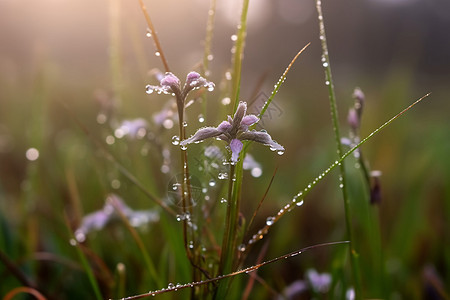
{"x": 239, "y": 55}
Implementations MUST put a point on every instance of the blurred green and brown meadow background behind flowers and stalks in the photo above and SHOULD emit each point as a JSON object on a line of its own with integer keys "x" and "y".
{"x": 94, "y": 59}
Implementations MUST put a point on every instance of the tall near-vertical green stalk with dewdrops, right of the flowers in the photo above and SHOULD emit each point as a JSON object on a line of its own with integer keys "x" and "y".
{"x": 337, "y": 135}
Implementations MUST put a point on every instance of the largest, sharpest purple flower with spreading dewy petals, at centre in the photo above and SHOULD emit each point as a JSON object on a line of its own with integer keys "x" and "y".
{"x": 234, "y": 131}
